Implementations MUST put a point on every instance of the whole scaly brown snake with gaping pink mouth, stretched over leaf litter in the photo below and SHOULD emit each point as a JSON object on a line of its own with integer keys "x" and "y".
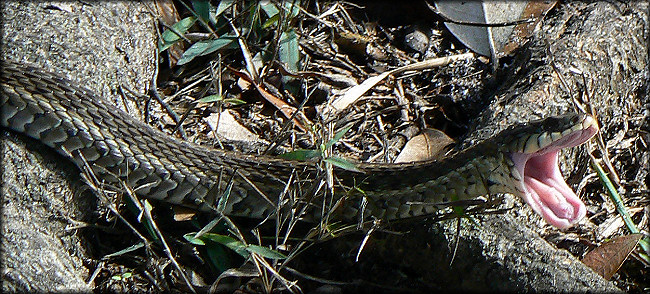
{"x": 84, "y": 127}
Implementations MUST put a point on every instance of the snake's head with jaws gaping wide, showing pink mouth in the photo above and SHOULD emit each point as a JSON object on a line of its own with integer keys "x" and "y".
{"x": 535, "y": 164}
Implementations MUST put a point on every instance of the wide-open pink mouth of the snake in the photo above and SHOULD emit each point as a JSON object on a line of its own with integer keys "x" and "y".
{"x": 544, "y": 187}
